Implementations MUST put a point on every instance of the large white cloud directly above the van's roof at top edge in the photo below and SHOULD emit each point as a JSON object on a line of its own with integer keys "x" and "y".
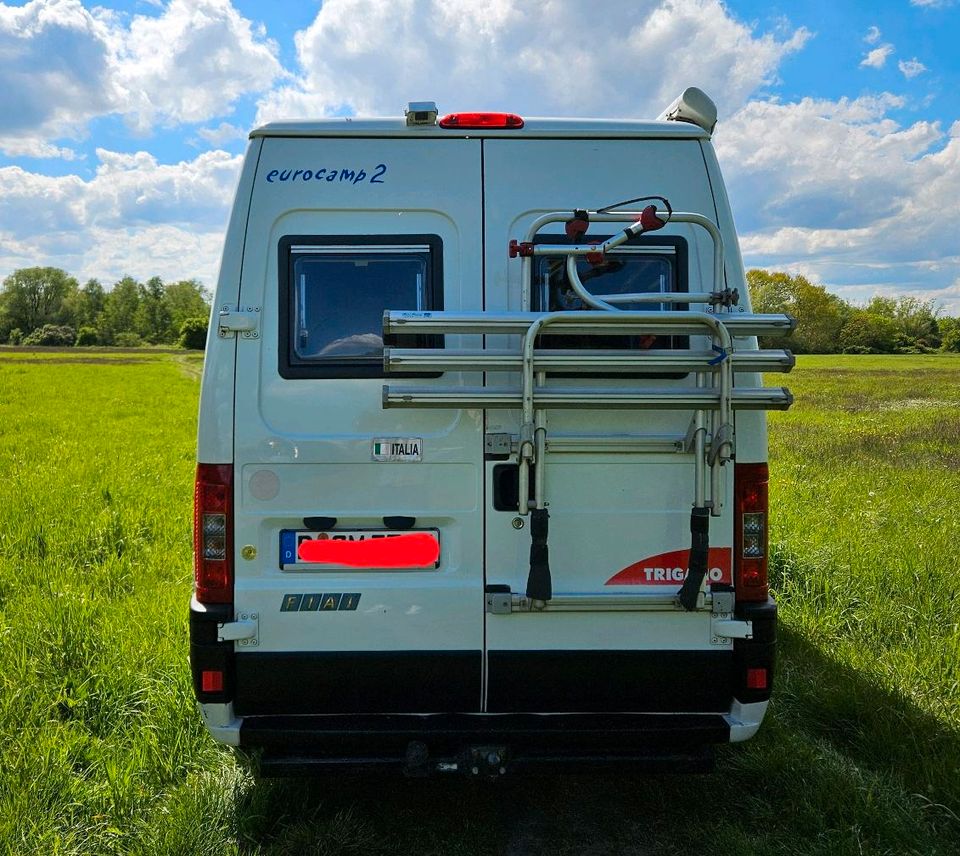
{"x": 531, "y": 58}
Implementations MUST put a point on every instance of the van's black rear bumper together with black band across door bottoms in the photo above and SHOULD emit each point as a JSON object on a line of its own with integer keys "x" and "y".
{"x": 685, "y": 705}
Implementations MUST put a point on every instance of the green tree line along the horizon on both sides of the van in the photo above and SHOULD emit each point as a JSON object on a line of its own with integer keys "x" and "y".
{"x": 47, "y": 306}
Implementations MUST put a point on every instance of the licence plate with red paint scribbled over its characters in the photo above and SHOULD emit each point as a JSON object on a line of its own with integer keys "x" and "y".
{"x": 360, "y": 549}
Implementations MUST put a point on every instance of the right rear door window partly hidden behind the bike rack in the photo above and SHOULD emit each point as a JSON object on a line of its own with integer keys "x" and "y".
{"x": 641, "y": 266}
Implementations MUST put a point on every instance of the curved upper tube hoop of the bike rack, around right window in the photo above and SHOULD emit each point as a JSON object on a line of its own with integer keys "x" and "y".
{"x": 611, "y": 243}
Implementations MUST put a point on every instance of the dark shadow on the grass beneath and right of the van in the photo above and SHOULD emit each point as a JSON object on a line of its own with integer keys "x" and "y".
{"x": 841, "y": 766}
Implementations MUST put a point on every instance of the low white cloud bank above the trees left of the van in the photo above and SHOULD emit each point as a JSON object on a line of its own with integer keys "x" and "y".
{"x": 134, "y": 216}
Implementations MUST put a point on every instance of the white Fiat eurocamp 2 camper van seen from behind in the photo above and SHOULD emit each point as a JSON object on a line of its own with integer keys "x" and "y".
{"x": 482, "y": 472}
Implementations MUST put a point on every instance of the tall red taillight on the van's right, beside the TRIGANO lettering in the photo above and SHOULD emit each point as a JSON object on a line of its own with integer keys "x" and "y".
{"x": 750, "y": 531}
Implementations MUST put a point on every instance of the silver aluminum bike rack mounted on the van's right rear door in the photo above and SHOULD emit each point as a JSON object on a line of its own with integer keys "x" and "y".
{"x": 712, "y": 398}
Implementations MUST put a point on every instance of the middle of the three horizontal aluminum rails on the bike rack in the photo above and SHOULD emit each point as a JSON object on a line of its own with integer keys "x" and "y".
{"x": 580, "y": 362}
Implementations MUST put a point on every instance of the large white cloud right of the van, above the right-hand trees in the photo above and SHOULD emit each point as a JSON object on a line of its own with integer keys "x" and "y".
{"x": 843, "y": 193}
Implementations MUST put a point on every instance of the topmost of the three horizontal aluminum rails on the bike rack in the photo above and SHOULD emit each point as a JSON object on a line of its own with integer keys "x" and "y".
{"x": 409, "y": 322}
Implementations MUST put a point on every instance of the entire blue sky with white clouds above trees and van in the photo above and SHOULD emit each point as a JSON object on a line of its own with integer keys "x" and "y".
{"x": 122, "y": 123}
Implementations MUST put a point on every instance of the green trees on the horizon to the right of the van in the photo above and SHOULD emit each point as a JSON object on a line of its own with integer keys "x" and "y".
{"x": 827, "y": 324}
